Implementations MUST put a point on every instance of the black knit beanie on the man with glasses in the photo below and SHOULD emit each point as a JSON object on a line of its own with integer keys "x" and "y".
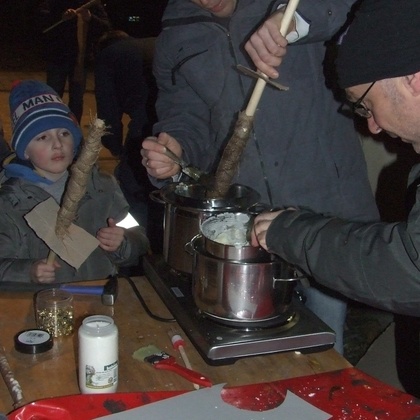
{"x": 383, "y": 41}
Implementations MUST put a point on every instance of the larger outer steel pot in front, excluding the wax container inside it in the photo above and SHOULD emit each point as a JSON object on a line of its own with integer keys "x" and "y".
{"x": 241, "y": 291}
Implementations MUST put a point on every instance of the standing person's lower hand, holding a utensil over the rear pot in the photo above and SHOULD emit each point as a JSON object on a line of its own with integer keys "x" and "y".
{"x": 154, "y": 159}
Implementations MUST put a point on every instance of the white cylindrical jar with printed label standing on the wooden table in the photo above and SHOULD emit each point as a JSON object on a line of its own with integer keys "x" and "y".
{"x": 98, "y": 355}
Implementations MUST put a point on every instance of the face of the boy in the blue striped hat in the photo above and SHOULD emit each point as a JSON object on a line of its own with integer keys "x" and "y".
{"x": 51, "y": 152}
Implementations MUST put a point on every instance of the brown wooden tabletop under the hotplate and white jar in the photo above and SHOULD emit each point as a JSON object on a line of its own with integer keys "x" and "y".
{"x": 54, "y": 373}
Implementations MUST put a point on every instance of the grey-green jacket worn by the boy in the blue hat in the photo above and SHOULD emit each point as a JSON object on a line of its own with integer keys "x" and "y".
{"x": 20, "y": 247}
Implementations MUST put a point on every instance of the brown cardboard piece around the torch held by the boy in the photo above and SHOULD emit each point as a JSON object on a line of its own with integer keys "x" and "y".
{"x": 74, "y": 248}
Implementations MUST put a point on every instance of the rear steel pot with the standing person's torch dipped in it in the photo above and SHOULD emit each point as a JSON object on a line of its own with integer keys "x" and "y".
{"x": 186, "y": 206}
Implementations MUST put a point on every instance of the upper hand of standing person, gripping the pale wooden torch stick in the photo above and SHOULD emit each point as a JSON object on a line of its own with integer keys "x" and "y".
{"x": 267, "y": 46}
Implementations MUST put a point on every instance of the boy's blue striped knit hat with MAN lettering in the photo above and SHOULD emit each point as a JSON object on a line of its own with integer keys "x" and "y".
{"x": 35, "y": 107}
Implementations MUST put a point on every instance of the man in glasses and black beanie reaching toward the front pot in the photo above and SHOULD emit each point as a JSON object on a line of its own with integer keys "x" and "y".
{"x": 378, "y": 65}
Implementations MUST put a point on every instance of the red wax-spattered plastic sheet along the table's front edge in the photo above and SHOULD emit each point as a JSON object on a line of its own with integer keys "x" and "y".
{"x": 347, "y": 394}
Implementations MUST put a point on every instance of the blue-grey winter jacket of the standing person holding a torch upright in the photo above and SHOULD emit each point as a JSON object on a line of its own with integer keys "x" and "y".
{"x": 302, "y": 151}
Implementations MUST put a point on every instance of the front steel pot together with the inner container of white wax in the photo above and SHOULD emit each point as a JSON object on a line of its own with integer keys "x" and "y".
{"x": 236, "y": 283}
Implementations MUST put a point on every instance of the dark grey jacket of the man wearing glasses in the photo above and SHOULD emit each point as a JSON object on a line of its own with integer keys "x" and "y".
{"x": 375, "y": 263}
